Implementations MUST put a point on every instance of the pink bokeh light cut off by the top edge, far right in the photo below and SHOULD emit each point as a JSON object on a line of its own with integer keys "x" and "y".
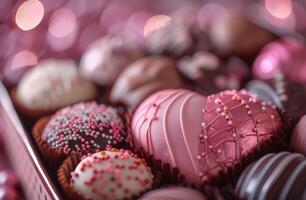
{"x": 279, "y": 8}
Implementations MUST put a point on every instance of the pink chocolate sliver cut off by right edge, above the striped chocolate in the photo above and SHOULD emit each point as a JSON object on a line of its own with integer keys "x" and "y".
{"x": 298, "y": 140}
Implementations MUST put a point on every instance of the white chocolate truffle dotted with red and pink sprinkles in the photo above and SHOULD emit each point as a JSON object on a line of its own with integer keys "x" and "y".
{"x": 111, "y": 174}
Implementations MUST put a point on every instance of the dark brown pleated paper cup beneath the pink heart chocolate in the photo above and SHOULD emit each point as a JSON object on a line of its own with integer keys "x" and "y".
{"x": 172, "y": 175}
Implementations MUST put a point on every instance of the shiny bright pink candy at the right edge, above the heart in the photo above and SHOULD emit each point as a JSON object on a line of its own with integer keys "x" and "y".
{"x": 287, "y": 56}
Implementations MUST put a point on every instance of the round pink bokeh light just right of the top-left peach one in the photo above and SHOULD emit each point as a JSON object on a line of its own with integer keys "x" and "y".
{"x": 62, "y": 23}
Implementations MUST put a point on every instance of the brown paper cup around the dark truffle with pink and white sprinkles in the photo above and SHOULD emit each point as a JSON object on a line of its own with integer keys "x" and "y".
{"x": 51, "y": 155}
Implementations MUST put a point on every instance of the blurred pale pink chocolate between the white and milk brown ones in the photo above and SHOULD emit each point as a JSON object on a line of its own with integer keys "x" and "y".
{"x": 104, "y": 60}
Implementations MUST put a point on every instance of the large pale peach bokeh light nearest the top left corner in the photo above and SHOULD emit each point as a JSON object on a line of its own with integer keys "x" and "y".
{"x": 29, "y": 14}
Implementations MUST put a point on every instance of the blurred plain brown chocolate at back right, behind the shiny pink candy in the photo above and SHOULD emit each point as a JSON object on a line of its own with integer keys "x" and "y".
{"x": 234, "y": 34}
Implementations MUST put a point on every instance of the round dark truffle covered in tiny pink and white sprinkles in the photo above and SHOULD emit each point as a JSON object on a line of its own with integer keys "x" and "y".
{"x": 84, "y": 127}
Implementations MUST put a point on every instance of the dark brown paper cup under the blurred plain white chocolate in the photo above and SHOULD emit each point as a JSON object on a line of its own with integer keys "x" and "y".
{"x": 29, "y": 114}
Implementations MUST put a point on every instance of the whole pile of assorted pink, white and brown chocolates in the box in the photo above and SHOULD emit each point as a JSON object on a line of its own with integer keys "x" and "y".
{"x": 184, "y": 110}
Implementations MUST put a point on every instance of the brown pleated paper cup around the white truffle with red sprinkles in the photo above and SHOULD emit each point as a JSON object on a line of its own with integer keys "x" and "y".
{"x": 69, "y": 165}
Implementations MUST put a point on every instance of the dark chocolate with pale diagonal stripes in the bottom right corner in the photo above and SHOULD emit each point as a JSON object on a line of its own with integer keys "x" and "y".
{"x": 274, "y": 176}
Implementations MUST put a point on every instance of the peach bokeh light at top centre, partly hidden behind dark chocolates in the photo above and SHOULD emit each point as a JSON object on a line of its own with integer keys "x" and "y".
{"x": 156, "y": 22}
